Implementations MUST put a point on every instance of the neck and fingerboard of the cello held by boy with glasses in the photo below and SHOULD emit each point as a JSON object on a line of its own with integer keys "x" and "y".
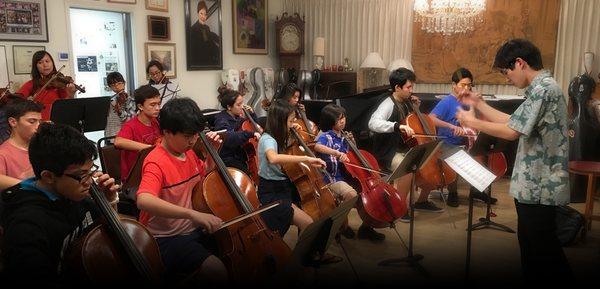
{"x": 139, "y": 262}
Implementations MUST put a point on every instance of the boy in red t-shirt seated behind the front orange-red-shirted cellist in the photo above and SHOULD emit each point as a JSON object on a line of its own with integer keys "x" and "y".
{"x": 141, "y": 131}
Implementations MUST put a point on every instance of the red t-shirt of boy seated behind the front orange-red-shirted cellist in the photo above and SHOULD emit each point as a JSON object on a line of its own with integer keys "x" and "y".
{"x": 135, "y": 130}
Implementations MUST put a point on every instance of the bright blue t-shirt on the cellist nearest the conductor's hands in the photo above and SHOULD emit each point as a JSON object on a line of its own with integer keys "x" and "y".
{"x": 446, "y": 110}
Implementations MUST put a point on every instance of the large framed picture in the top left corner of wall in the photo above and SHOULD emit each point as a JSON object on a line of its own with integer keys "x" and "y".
{"x": 23, "y": 20}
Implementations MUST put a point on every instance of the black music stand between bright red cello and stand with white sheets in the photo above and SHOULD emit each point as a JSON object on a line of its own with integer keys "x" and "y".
{"x": 413, "y": 161}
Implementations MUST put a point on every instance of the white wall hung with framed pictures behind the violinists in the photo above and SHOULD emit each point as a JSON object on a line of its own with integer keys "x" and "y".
{"x": 199, "y": 85}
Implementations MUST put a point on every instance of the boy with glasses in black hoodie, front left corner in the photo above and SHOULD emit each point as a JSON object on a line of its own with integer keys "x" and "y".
{"x": 45, "y": 214}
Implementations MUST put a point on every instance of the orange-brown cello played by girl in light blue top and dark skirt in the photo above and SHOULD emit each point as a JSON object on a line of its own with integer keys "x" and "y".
{"x": 316, "y": 197}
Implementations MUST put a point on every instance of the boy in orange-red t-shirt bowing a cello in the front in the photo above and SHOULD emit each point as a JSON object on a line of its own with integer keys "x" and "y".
{"x": 169, "y": 174}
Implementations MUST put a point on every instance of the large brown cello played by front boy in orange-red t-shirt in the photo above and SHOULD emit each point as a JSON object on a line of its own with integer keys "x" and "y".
{"x": 249, "y": 249}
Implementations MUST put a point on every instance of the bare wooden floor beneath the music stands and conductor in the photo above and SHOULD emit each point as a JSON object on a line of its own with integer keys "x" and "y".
{"x": 442, "y": 239}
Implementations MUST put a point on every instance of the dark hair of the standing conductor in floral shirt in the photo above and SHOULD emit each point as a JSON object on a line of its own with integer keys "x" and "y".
{"x": 518, "y": 48}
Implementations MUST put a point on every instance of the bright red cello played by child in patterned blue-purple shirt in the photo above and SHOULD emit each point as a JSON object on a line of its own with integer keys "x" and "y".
{"x": 381, "y": 204}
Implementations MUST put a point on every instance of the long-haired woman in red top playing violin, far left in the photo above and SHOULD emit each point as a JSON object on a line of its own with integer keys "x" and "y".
{"x": 42, "y": 70}
